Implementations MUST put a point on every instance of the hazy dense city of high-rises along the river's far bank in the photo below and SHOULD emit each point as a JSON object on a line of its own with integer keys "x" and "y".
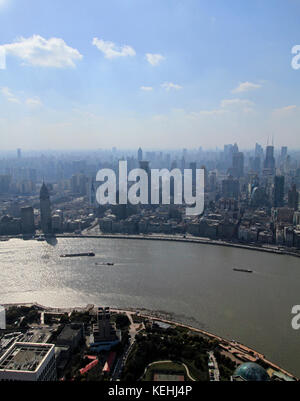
{"x": 251, "y": 197}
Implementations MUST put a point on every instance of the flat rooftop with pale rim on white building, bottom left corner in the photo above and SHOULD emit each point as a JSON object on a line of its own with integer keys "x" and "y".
{"x": 25, "y": 357}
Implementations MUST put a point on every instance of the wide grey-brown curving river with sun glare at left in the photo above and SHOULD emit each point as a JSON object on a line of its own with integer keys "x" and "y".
{"x": 195, "y": 282}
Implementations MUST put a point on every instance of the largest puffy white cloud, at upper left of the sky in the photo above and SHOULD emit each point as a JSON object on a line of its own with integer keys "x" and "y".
{"x": 41, "y": 52}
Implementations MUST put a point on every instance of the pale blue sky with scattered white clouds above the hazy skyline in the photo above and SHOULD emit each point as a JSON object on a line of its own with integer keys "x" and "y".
{"x": 90, "y": 74}
